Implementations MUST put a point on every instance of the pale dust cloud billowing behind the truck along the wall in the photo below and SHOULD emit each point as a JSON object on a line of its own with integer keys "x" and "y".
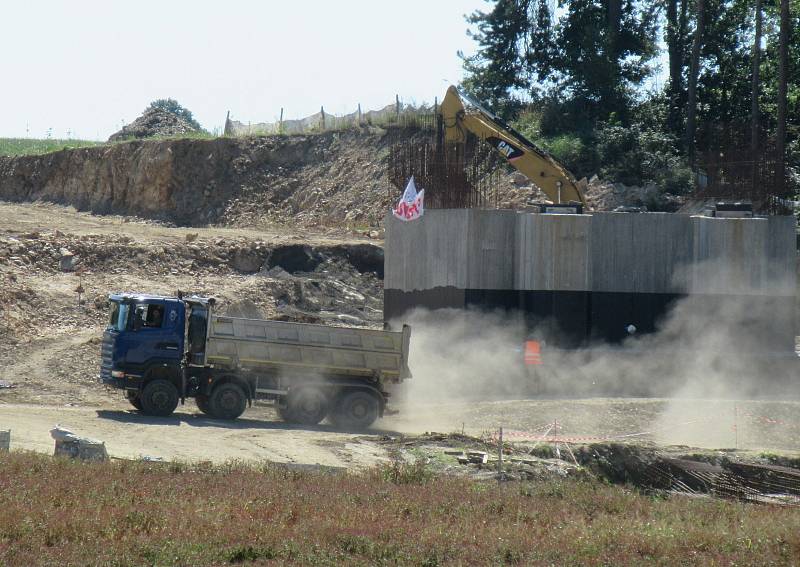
{"x": 714, "y": 359}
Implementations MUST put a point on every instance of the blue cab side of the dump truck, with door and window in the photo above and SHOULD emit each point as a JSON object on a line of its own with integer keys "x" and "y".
{"x": 156, "y": 336}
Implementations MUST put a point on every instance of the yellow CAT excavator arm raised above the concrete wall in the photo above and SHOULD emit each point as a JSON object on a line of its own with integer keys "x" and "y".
{"x": 460, "y": 115}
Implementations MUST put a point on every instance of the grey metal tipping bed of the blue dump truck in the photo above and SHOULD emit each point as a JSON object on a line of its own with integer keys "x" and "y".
{"x": 278, "y": 345}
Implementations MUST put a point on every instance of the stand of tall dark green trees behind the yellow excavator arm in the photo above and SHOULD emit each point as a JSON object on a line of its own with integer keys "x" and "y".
{"x": 643, "y": 90}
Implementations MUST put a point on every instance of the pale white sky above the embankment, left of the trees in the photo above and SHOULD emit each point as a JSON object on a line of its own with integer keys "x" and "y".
{"x": 84, "y": 66}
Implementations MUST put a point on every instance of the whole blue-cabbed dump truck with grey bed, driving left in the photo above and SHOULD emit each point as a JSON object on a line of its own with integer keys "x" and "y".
{"x": 162, "y": 350}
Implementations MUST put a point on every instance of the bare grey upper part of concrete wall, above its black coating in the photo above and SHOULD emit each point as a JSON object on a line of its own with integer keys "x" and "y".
{"x": 651, "y": 253}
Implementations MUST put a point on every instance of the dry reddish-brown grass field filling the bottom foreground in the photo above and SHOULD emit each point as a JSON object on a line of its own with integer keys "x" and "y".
{"x": 58, "y": 512}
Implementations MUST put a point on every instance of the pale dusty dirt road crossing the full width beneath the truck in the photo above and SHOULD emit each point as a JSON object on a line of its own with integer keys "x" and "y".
{"x": 259, "y": 435}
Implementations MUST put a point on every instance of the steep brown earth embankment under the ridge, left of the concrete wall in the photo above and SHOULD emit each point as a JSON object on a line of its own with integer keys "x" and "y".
{"x": 306, "y": 180}
